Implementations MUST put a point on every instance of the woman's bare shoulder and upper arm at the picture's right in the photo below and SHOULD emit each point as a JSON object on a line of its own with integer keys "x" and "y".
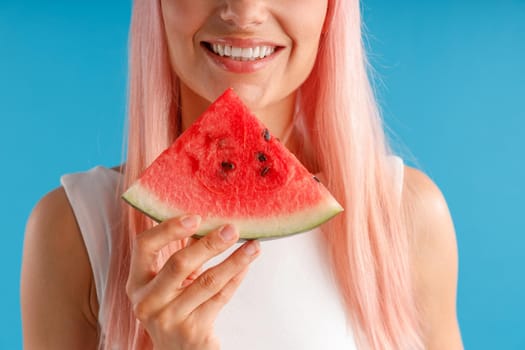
{"x": 435, "y": 259}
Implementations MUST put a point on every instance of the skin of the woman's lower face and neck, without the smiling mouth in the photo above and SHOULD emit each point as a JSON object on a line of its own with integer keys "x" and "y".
{"x": 268, "y": 92}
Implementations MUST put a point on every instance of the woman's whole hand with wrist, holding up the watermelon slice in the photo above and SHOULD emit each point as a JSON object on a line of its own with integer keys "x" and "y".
{"x": 178, "y": 312}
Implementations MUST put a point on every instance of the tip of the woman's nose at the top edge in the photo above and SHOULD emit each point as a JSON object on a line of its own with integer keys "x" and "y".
{"x": 244, "y": 14}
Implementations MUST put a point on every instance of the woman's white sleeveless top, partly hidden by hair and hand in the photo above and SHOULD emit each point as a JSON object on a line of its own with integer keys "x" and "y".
{"x": 288, "y": 300}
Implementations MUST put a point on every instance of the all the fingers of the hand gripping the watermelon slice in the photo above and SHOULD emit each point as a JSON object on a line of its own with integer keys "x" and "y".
{"x": 154, "y": 294}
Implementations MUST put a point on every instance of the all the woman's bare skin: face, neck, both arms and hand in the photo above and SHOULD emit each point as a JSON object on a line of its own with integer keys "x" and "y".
{"x": 178, "y": 304}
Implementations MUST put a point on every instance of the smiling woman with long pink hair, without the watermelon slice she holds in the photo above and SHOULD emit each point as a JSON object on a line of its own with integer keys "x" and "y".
{"x": 97, "y": 273}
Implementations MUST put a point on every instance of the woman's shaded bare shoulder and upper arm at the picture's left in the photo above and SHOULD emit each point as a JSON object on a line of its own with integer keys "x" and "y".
{"x": 57, "y": 292}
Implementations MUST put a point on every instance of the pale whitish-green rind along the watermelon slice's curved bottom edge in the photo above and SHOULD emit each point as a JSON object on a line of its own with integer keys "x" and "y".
{"x": 249, "y": 228}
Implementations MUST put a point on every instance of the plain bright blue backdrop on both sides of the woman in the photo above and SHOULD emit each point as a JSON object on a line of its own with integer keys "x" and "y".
{"x": 450, "y": 78}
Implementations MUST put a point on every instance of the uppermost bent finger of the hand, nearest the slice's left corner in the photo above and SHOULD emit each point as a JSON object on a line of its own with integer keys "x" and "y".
{"x": 147, "y": 245}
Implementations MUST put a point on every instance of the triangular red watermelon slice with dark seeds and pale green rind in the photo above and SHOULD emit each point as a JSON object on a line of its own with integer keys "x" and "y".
{"x": 228, "y": 168}
